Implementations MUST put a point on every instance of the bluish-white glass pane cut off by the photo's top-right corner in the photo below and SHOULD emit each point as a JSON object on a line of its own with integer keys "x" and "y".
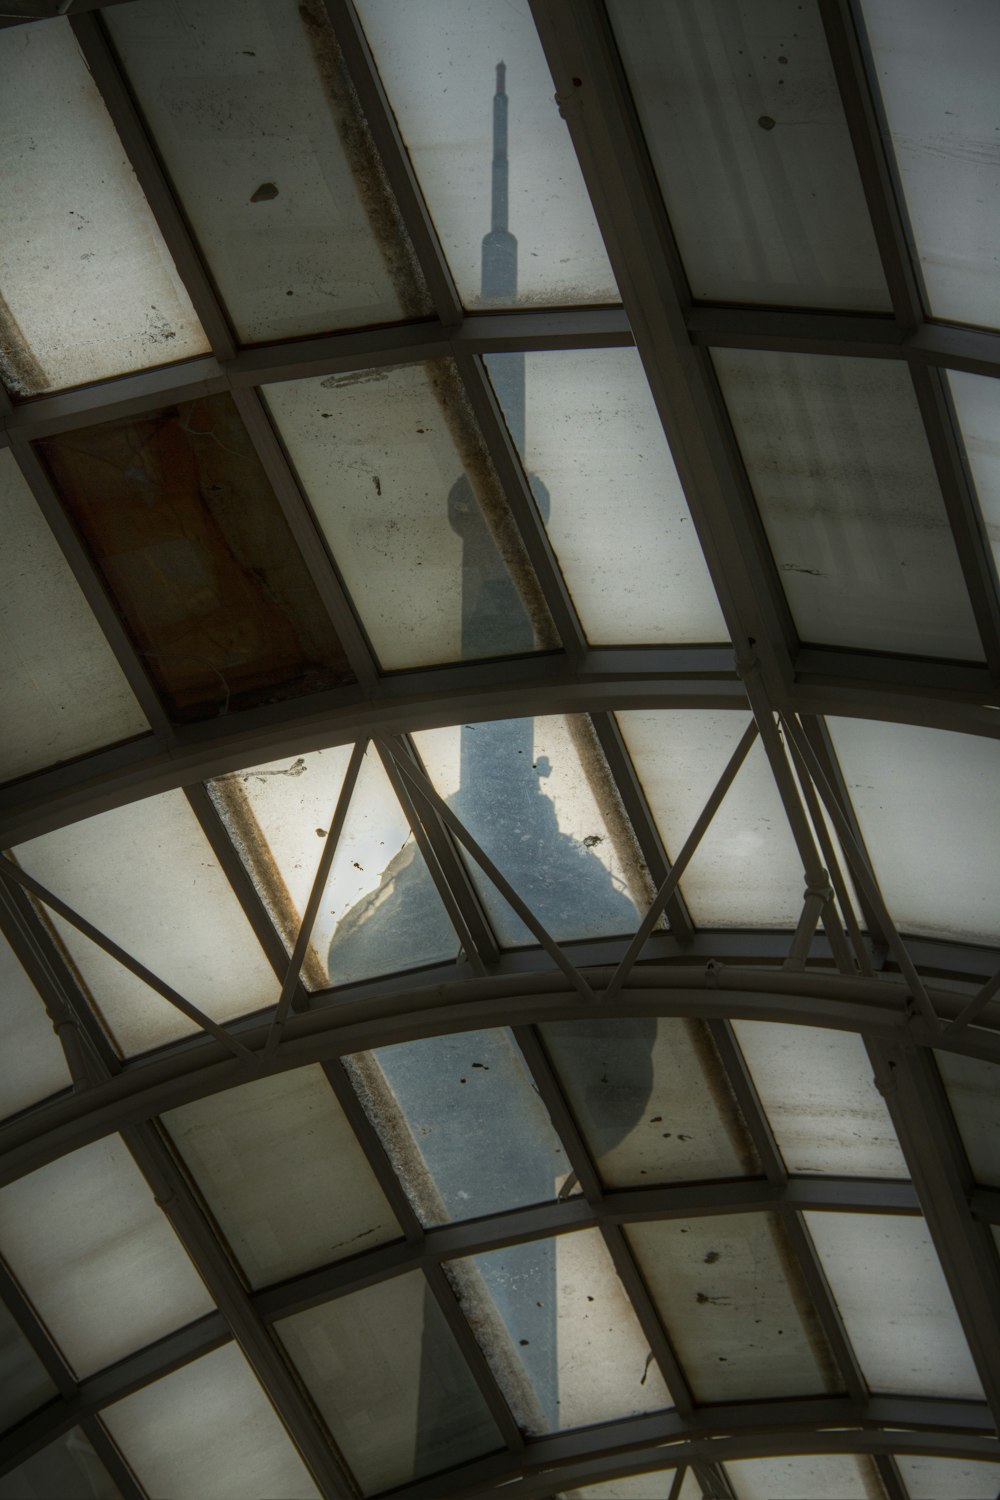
{"x": 938, "y": 77}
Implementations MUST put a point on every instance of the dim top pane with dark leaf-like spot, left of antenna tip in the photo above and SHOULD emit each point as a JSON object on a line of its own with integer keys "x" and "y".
{"x": 265, "y": 142}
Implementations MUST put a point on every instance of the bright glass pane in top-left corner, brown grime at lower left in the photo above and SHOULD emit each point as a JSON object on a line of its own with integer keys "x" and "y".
{"x": 110, "y": 299}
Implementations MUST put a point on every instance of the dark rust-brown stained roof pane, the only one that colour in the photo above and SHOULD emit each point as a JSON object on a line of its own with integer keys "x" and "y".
{"x": 197, "y": 556}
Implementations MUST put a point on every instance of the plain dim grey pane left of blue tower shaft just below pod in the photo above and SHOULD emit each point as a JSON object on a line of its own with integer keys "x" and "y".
{"x": 284, "y": 1175}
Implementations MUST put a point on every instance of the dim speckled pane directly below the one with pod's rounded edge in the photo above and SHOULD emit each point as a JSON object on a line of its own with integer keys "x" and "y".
{"x": 732, "y": 1303}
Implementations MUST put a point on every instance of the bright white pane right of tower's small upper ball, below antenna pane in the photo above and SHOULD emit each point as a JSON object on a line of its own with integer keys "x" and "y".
{"x": 606, "y": 485}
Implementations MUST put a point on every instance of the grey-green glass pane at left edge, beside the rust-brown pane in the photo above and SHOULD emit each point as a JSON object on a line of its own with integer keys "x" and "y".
{"x": 62, "y": 689}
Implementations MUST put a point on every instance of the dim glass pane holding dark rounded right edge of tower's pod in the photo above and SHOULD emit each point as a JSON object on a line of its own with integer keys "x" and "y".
{"x": 651, "y": 1100}
